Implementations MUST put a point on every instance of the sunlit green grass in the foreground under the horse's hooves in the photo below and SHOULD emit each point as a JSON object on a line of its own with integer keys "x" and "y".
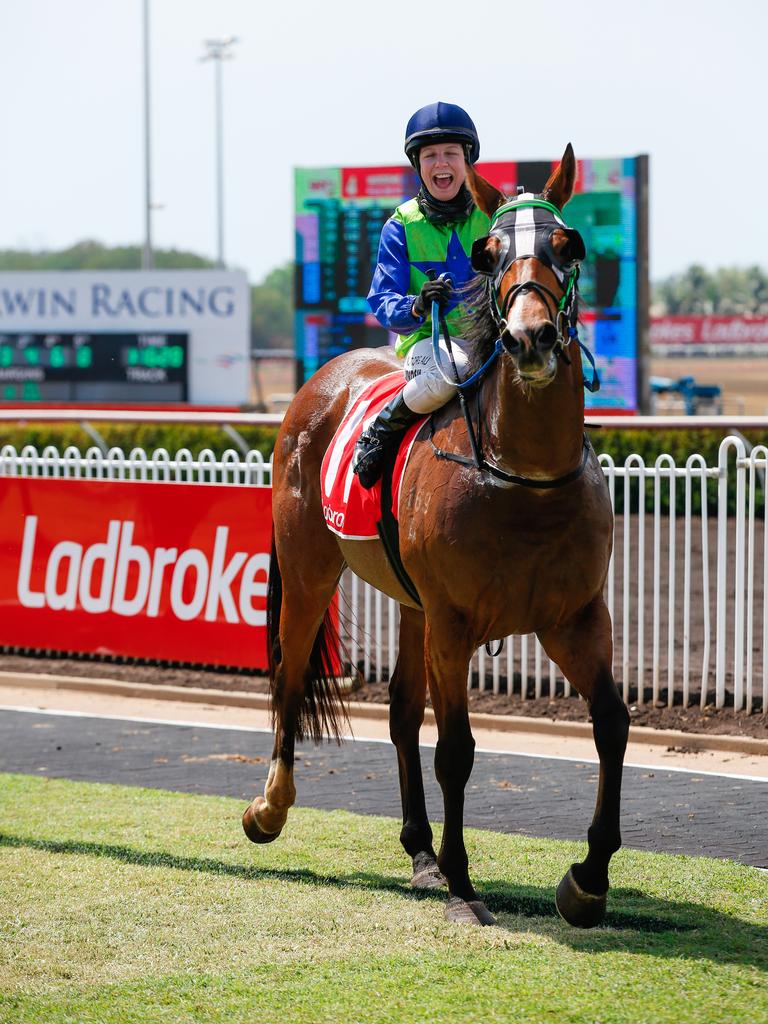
{"x": 129, "y": 906}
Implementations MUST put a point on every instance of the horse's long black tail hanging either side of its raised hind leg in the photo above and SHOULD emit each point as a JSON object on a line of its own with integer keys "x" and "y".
{"x": 322, "y": 712}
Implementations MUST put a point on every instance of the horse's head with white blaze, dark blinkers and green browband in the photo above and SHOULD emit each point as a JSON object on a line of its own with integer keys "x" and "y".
{"x": 531, "y": 261}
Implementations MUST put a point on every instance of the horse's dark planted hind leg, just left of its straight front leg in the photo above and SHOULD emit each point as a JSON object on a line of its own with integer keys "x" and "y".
{"x": 408, "y": 690}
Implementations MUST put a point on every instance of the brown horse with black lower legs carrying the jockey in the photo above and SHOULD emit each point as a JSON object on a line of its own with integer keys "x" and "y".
{"x": 490, "y": 557}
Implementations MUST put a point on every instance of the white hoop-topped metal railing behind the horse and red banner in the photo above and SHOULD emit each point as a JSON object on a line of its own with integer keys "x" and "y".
{"x": 687, "y": 591}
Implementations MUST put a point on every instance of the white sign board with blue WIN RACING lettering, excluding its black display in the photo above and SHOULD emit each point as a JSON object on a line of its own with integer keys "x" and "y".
{"x": 211, "y": 307}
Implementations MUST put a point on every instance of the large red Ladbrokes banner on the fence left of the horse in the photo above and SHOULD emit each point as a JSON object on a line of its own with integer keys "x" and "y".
{"x": 161, "y": 571}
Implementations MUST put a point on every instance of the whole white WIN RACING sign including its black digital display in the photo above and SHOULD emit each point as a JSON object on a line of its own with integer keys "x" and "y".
{"x": 50, "y": 321}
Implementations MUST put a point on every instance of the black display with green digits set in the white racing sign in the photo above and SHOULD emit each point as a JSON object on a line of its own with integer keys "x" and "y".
{"x": 94, "y": 367}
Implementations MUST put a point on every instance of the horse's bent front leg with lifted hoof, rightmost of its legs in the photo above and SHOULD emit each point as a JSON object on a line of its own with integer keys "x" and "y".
{"x": 584, "y": 651}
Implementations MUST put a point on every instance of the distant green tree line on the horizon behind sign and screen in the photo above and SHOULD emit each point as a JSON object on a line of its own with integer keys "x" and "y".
{"x": 733, "y": 291}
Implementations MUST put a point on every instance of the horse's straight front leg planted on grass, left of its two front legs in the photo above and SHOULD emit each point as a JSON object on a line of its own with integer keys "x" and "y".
{"x": 449, "y": 650}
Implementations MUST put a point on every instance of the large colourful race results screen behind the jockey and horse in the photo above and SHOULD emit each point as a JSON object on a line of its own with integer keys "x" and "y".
{"x": 339, "y": 216}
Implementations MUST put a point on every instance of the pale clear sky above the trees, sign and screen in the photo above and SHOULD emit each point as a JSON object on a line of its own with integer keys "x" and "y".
{"x": 334, "y": 83}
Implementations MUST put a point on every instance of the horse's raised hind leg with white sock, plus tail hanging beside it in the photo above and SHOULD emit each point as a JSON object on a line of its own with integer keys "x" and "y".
{"x": 305, "y": 695}
